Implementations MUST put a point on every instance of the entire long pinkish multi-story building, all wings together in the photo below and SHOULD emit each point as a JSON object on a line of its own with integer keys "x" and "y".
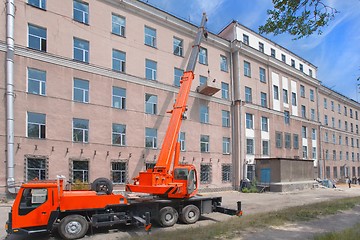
{"x": 93, "y": 81}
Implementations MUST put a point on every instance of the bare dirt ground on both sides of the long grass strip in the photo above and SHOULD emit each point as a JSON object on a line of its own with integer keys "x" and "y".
{"x": 251, "y": 203}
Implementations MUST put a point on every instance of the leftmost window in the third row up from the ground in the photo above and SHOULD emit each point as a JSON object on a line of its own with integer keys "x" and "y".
{"x": 36, "y": 81}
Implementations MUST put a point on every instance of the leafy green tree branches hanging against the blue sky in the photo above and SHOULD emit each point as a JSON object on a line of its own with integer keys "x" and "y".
{"x": 300, "y": 18}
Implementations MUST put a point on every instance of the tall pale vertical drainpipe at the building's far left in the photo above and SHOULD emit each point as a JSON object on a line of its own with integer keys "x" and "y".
{"x": 10, "y": 95}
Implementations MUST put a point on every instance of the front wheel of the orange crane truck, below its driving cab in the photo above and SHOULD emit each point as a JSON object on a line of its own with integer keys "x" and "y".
{"x": 73, "y": 227}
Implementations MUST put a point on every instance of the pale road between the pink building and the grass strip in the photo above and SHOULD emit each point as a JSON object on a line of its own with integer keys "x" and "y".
{"x": 251, "y": 203}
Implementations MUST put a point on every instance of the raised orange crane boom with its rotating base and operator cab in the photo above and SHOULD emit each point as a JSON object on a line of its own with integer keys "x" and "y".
{"x": 160, "y": 181}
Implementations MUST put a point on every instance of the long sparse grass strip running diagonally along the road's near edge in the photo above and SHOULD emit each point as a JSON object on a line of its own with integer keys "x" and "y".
{"x": 233, "y": 227}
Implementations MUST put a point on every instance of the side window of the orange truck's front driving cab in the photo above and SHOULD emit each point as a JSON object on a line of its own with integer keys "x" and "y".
{"x": 31, "y": 199}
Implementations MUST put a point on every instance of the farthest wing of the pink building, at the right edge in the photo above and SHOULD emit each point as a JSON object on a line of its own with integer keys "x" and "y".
{"x": 339, "y": 117}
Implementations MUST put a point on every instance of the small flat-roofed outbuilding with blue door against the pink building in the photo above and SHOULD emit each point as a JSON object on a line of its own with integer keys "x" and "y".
{"x": 285, "y": 174}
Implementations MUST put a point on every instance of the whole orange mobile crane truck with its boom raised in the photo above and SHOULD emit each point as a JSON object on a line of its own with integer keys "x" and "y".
{"x": 170, "y": 191}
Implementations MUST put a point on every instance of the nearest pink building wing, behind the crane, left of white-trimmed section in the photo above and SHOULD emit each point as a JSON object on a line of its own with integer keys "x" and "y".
{"x": 93, "y": 81}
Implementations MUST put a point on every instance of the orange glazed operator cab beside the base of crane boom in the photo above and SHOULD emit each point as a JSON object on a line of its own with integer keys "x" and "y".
{"x": 186, "y": 174}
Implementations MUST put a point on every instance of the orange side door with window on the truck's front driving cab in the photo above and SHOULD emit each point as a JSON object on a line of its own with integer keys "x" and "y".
{"x": 34, "y": 208}
